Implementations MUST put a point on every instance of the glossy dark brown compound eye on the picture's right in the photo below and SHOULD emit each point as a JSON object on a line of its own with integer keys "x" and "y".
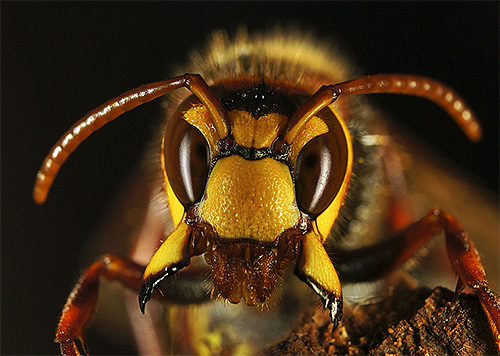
{"x": 319, "y": 173}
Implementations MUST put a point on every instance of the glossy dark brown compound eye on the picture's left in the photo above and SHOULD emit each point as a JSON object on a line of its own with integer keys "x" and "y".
{"x": 187, "y": 161}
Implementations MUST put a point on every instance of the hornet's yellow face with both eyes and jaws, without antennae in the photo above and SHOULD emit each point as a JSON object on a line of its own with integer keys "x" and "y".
{"x": 253, "y": 201}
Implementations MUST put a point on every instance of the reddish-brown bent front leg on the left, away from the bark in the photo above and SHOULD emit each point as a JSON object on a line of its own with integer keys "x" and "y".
{"x": 80, "y": 306}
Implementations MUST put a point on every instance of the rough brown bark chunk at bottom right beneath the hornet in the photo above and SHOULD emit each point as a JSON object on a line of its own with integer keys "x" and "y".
{"x": 407, "y": 322}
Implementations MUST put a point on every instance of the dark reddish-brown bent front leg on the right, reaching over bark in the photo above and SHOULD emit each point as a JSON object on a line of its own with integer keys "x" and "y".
{"x": 374, "y": 261}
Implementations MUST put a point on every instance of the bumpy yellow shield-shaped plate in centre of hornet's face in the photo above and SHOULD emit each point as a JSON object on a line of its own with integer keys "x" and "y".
{"x": 250, "y": 199}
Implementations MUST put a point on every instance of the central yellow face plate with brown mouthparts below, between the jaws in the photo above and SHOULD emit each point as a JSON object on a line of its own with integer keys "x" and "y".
{"x": 251, "y": 206}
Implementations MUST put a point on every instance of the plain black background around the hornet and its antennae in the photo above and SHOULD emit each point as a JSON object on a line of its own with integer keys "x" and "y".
{"x": 59, "y": 60}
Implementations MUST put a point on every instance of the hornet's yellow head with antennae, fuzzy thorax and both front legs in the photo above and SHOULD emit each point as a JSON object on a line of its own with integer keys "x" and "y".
{"x": 261, "y": 164}
